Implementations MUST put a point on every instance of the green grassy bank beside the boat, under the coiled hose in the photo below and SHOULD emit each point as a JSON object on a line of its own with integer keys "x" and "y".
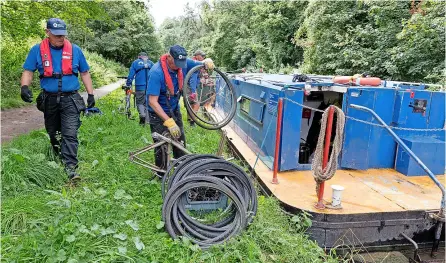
{"x": 117, "y": 208}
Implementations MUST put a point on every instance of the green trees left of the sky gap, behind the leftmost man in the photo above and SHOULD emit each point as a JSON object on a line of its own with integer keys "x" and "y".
{"x": 117, "y": 30}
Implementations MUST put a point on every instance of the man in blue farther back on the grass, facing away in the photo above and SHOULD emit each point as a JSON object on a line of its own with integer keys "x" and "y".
{"x": 139, "y": 70}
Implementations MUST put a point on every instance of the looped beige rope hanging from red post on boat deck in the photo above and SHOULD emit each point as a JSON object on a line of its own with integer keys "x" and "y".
{"x": 320, "y": 174}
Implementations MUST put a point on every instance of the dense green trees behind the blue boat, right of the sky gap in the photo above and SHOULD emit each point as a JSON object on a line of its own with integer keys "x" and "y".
{"x": 389, "y": 39}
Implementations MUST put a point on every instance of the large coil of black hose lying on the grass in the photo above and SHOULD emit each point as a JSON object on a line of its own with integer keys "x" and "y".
{"x": 194, "y": 172}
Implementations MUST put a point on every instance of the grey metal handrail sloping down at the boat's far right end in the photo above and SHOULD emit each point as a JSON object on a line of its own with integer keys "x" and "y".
{"x": 411, "y": 154}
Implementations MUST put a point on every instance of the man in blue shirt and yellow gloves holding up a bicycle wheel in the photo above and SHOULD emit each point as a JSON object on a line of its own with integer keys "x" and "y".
{"x": 165, "y": 85}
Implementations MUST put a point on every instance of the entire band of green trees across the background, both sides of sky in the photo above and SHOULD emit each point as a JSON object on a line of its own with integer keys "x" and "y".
{"x": 398, "y": 40}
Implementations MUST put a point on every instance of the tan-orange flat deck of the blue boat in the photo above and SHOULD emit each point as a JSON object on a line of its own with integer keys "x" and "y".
{"x": 371, "y": 191}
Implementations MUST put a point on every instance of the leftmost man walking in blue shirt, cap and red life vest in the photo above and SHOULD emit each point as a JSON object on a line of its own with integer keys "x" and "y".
{"x": 59, "y": 64}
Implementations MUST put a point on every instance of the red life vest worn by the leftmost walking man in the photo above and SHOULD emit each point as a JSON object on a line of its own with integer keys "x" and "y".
{"x": 67, "y": 60}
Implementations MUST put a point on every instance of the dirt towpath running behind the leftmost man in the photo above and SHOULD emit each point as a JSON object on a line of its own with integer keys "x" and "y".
{"x": 23, "y": 120}
